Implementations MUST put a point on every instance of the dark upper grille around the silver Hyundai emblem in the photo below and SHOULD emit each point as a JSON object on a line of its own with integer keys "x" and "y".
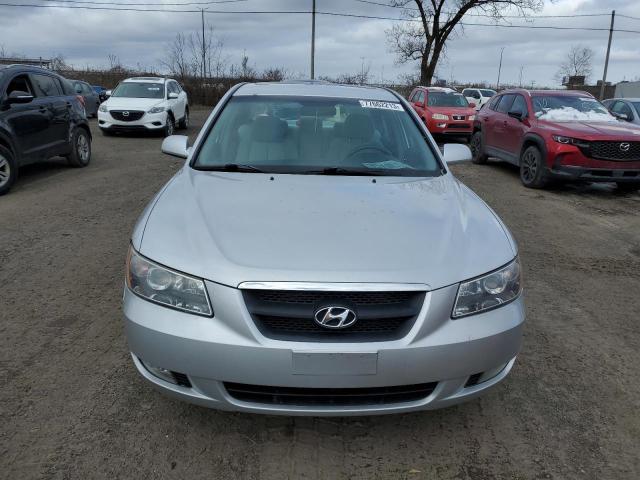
{"x": 289, "y": 314}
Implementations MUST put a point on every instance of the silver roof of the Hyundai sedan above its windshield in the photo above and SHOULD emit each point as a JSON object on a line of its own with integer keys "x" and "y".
{"x": 316, "y": 89}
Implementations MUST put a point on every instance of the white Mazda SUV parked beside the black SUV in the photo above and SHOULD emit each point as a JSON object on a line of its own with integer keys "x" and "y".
{"x": 145, "y": 104}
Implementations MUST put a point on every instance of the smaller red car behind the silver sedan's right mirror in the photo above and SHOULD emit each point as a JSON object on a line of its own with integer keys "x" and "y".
{"x": 444, "y": 111}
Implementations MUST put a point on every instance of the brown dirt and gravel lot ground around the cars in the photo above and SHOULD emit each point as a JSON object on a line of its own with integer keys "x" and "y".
{"x": 72, "y": 405}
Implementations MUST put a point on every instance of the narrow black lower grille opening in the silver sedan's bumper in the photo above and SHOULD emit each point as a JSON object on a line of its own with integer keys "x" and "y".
{"x": 329, "y": 396}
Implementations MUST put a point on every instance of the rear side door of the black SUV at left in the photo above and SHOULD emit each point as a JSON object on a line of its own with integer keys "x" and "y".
{"x": 59, "y": 106}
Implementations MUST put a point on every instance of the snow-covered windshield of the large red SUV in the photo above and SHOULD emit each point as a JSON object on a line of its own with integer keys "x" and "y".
{"x": 568, "y": 108}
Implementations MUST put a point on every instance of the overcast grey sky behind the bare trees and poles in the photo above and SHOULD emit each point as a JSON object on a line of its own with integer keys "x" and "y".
{"x": 87, "y": 37}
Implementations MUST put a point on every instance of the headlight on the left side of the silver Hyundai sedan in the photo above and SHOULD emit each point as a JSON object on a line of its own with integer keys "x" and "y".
{"x": 161, "y": 285}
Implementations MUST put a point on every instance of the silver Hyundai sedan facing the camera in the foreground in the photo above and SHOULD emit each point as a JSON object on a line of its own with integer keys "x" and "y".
{"x": 315, "y": 256}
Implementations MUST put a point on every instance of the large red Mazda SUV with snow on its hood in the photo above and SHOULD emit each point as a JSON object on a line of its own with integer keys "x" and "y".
{"x": 557, "y": 134}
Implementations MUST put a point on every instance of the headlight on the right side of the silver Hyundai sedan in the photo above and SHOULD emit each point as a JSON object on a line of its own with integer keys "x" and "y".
{"x": 489, "y": 291}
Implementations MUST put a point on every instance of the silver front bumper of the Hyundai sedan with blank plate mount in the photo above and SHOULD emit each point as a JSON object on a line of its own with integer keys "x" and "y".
{"x": 229, "y": 348}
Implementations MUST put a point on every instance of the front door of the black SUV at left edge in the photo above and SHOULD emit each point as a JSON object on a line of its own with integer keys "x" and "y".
{"x": 30, "y": 122}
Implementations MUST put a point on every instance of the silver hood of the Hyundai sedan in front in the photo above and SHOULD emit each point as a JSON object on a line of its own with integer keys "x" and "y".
{"x": 235, "y": 227}
